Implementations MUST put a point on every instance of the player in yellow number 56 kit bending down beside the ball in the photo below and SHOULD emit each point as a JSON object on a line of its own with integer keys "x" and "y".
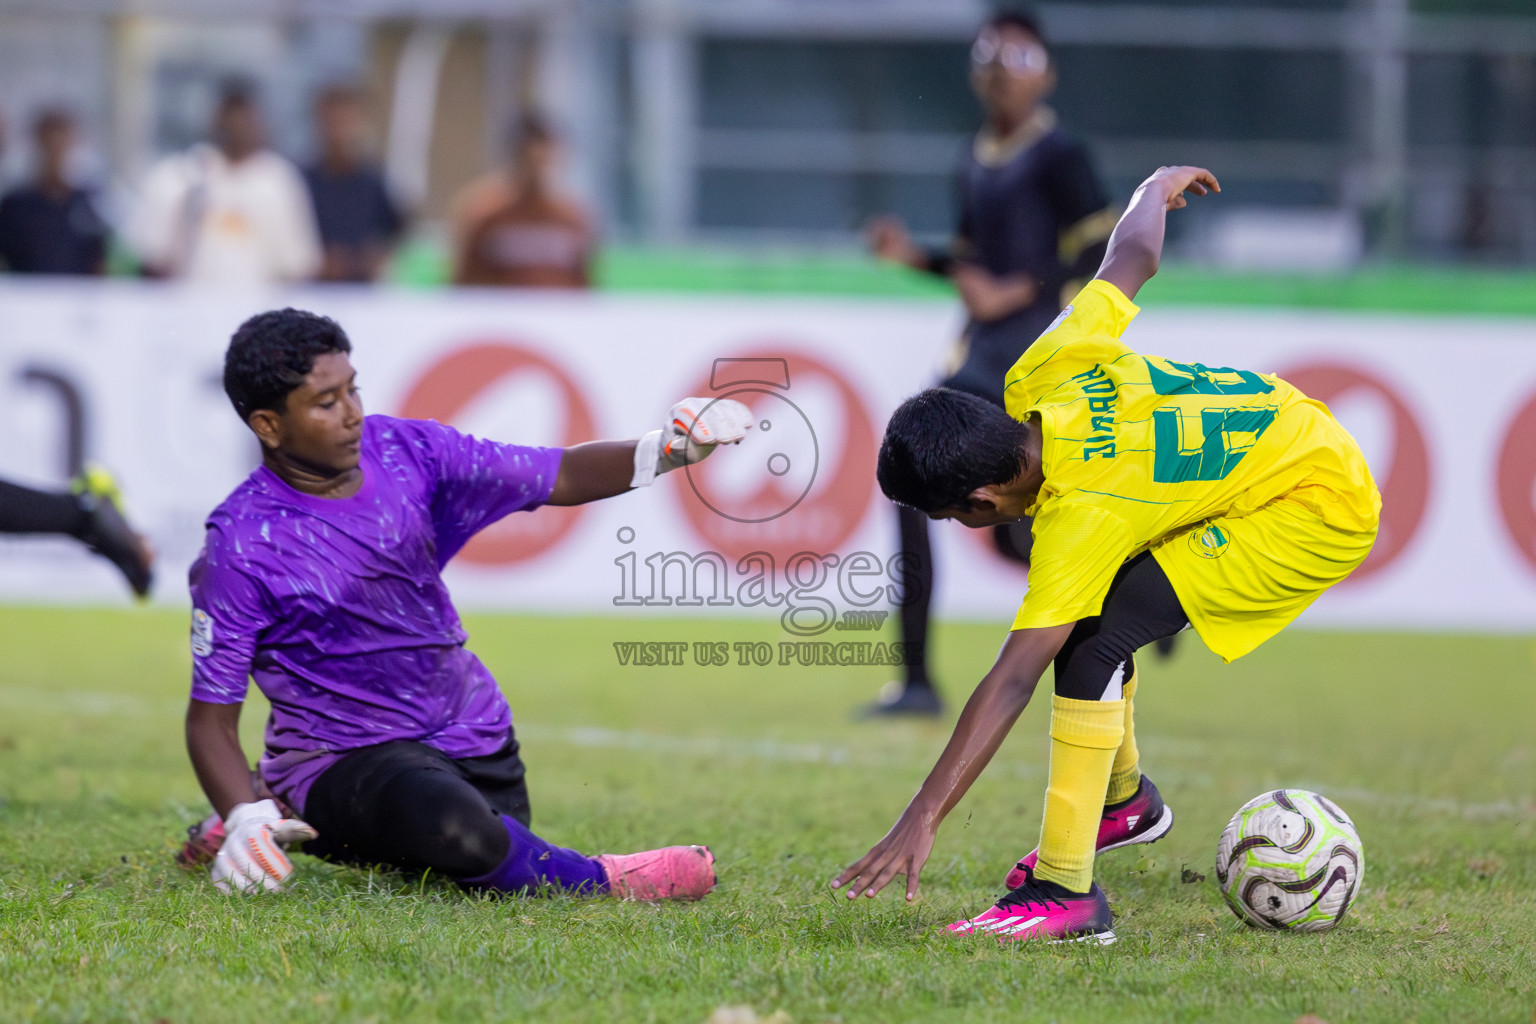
{"x": 1164, "y": 495}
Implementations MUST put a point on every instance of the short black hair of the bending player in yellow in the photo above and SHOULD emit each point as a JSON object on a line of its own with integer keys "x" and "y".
{"x": 944, "y": 444}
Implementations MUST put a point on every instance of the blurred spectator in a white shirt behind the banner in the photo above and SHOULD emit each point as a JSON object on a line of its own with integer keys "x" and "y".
{"x": 233, "y": 213}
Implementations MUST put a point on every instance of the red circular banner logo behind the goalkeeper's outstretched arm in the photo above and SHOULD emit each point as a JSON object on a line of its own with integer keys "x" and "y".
{"x": 462, "y": 377}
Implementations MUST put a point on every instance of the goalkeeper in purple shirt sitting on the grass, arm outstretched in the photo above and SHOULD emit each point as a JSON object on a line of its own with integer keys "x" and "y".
{"x": 389, "y": 742}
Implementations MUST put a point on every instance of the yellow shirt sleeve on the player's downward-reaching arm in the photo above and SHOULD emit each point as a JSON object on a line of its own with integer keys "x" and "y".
{"x": 1079, "y": 549}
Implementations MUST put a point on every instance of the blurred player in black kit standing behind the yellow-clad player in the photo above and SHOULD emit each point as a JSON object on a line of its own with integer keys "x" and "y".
{"x": 1034, "y": 220}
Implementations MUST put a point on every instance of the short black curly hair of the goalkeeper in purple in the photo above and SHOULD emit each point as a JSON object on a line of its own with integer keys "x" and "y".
{"x": 273, "y": 354}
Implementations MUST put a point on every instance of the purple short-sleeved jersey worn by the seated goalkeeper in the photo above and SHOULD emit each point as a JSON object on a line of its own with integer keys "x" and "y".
{"x": 339, "y": 610}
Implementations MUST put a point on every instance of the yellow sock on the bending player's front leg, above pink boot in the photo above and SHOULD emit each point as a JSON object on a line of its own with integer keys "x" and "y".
{"x": 1085, "y": 736}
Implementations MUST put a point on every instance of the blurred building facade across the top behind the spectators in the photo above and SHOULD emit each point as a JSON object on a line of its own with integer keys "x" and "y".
{"x": 1397, "y": 128}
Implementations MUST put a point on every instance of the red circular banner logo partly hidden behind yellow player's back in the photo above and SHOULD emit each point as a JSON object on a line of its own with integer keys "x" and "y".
{"x": 1406, "y": 484}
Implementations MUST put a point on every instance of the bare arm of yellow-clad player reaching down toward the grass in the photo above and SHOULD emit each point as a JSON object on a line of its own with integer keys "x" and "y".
{"x": 984, "y": 725}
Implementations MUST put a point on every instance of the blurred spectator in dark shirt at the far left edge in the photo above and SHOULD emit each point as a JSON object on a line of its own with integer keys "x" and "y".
{"x": 50, "y": 225}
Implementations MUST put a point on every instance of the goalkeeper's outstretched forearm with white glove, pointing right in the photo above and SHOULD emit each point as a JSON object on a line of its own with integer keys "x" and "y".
{"x": 603, "y": 469}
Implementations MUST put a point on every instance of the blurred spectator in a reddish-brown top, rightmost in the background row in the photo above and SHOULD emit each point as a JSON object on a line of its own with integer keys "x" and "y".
{"x": 523, "y": 231}
